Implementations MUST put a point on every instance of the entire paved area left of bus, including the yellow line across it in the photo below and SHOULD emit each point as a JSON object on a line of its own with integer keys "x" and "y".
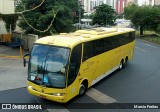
{"x": 12, "y": 73}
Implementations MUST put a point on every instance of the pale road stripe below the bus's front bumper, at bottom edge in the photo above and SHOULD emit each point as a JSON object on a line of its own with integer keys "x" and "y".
{"x": 52, "y": 110}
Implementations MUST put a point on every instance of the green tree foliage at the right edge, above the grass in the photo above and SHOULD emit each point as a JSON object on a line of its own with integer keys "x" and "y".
{"x": 146, "y": 17}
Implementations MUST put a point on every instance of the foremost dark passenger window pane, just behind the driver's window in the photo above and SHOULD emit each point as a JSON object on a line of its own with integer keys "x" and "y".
{"x": 88, "y": 51}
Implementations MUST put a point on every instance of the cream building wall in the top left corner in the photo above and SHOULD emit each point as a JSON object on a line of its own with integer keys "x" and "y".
{"x": 7, "y": 6}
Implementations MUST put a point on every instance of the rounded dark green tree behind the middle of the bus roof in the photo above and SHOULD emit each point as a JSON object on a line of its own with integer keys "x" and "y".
{"x": 104, "y": 15}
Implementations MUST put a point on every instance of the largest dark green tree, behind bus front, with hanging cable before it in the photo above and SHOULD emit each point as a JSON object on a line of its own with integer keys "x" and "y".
{"x": 41, "y": 17}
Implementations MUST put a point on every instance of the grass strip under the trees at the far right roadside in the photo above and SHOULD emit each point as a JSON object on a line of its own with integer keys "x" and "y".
{"x": 149, "y": 36}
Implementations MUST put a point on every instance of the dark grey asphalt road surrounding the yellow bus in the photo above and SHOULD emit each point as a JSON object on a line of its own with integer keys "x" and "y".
{"x": 138, "y": 83}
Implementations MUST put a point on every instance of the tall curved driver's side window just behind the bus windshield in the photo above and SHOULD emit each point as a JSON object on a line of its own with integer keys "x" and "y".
{"x": 75, "y": 62}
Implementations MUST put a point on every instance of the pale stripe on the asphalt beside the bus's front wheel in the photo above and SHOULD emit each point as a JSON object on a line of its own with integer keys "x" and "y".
{"x": 99, "y": 96}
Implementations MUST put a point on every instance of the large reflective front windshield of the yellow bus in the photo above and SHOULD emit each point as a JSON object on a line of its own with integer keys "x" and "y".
{"x": 48, "y": 66}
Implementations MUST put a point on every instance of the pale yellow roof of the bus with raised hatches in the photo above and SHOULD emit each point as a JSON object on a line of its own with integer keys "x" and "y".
{"x": 72, "y": 39}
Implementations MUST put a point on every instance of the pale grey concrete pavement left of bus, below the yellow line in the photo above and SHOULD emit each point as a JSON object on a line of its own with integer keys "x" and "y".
{"x": 12, "y": 73}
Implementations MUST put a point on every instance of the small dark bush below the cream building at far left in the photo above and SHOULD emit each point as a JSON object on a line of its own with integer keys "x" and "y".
{"x": 10, "y": 19}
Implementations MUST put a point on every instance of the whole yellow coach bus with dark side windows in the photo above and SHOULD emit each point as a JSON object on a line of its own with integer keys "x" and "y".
{"x": 63, "y": 66}
